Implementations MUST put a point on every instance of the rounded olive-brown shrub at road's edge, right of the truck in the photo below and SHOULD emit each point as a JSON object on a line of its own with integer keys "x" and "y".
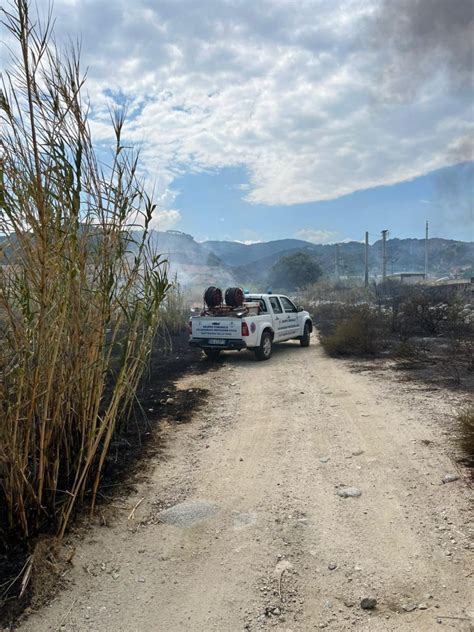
{"x": 362, "y": 332}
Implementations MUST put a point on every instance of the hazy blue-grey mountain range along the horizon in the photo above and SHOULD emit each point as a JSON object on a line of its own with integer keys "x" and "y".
{"x": 232, "y": 262}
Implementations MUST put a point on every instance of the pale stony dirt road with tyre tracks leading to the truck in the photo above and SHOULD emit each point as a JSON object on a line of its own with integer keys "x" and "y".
{"x": 242, "y": 527}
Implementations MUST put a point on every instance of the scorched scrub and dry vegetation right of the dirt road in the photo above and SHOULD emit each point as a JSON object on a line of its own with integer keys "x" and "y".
{"x": 424, "y": 332}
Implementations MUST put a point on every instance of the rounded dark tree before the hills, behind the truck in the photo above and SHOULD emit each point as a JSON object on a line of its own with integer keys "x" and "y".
{"x": 295, "y": 270}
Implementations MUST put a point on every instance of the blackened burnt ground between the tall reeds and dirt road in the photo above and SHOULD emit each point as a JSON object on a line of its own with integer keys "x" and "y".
{"x": 137, "y": 439}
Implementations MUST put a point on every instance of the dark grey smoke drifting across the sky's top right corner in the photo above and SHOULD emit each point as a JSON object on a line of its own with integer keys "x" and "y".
{"x": 419, "y": 41}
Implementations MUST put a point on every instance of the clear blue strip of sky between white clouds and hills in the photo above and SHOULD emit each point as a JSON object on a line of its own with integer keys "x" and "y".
{"x": 402, "y": 208}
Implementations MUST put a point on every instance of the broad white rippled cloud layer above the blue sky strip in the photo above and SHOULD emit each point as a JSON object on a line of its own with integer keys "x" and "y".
{"x": 296, "y": 93}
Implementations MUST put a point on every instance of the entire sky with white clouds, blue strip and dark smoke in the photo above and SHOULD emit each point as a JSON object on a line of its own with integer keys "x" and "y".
{"x": 262, "y": 119}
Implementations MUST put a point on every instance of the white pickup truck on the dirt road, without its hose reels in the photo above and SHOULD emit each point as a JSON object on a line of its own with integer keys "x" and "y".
{"x": 263, "y": 320}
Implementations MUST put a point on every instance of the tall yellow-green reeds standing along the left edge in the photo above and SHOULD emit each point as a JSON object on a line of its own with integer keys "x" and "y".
{"x": 80, "y": 289}
